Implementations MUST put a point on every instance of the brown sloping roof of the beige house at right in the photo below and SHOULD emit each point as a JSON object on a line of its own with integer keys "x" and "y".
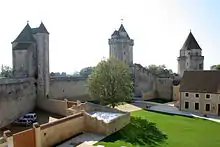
{"x": 207, "y": 81}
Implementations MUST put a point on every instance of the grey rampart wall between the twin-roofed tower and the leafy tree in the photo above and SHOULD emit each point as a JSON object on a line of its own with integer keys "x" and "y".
{"x": 71, "y": 88}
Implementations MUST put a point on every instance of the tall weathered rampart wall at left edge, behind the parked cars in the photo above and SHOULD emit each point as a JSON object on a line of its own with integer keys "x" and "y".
{"x": 17, "y": 97}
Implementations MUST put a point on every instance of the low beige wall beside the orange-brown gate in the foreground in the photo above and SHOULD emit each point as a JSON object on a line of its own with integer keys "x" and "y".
{"x": 62, "y": 129}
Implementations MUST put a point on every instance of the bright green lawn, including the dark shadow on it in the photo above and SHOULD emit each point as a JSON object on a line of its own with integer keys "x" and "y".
{"x": 161, "y": 130}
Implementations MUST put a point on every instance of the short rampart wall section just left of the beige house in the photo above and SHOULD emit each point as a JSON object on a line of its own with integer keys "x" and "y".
{"x": 164, "y": 88}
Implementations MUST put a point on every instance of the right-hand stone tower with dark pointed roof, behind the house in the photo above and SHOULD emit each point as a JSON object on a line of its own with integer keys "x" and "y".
{"x": 190, "y": 56}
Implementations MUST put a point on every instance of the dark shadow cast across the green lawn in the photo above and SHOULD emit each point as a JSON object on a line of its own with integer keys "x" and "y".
{"x": 139, "y": 132}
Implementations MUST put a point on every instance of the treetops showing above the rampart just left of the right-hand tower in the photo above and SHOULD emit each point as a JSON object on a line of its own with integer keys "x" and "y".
{"x": 160, "y": 70}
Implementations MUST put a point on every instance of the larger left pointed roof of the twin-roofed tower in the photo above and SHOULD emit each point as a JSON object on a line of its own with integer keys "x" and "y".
{"x": 25, "y": 35}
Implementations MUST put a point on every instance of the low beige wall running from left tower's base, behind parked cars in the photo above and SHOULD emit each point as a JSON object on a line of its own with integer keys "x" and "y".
{"x": 54, "y": 106}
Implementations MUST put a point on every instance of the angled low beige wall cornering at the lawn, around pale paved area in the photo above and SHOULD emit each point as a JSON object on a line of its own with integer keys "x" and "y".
{"x": 100, "y": 127}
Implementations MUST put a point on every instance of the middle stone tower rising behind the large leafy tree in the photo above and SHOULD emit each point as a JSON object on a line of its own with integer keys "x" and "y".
{"x": 121, "y": 46}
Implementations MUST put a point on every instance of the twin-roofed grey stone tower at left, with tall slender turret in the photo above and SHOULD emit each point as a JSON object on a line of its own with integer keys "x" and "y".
{"x": 31, "y": 57}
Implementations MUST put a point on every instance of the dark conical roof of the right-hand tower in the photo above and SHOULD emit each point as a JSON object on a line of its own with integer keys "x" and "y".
{"x": 190, "y": 43}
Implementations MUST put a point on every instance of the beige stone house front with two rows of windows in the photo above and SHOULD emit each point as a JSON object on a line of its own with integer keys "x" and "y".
{"x": 204, "y": 103}
